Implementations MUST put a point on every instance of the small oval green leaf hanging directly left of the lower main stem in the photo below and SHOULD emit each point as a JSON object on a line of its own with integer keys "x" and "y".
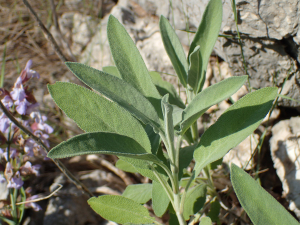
{"x": 160, "y": 199}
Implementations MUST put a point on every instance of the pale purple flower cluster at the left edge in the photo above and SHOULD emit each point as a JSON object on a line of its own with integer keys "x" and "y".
{"x": 17, "y": 148}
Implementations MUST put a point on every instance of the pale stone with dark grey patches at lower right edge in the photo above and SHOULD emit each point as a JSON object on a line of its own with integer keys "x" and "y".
{"x": 285, "y": 151}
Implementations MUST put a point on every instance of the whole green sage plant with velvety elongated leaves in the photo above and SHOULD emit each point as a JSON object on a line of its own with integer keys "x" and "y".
{"x": 136, "y": 111}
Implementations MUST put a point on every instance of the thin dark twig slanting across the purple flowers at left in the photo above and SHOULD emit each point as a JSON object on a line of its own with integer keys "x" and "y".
{"x": 58, "y": 163}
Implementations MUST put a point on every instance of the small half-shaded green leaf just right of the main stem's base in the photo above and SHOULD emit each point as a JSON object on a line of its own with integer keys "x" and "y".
{"x": 195, "y": 199}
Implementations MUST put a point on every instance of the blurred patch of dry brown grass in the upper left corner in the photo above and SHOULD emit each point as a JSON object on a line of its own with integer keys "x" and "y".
{"x": 24, "y": 39}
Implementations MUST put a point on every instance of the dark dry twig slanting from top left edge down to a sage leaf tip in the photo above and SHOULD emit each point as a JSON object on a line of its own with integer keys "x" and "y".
{"x": 46, "y": 32}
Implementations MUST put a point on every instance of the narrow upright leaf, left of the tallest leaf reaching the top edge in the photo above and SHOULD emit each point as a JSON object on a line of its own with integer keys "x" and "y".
{"x": 174, "y": 49}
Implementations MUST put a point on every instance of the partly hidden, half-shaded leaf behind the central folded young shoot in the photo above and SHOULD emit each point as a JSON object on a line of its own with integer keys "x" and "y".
{"x": 164, "y": 88}
